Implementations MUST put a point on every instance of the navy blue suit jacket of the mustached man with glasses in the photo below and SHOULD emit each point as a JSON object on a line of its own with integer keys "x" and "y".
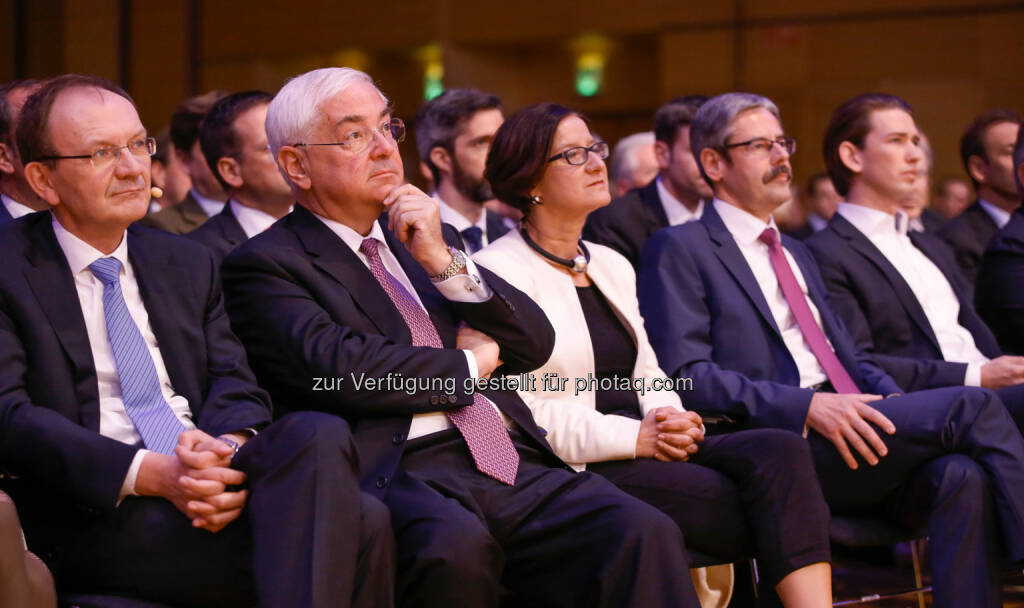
{"x": 708, "y": 320}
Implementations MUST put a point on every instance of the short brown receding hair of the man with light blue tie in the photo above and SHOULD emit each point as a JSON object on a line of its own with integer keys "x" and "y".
{"x": 33, "y": 126}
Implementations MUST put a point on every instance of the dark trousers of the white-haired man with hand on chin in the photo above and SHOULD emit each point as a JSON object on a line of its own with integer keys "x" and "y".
{"x": 554, "y": 539}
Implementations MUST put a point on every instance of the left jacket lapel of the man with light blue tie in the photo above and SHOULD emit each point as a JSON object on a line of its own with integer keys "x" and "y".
{"x": 54, "y": 286}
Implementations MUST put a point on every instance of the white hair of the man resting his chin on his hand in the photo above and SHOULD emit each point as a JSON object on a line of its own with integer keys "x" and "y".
{"x": 295, "y": 109}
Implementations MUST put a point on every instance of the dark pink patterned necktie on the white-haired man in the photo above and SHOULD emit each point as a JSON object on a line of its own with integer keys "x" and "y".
{"x": 480, "y": 424}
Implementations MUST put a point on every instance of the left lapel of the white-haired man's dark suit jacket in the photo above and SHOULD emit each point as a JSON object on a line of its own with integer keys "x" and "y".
{"x": 331, "y": 255}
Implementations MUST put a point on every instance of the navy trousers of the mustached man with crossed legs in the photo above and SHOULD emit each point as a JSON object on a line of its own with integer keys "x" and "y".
{"x": 968, "y": 503}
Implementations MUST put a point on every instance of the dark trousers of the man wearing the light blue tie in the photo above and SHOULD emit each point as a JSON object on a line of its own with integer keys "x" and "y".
{"x": 307, "y": 538}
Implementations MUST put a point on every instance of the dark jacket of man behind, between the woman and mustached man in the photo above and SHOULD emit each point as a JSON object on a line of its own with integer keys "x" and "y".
{"x": 627, "y": 223}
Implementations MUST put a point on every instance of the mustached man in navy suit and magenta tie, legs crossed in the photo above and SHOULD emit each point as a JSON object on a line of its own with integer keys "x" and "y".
{"x": 746, "y": 316}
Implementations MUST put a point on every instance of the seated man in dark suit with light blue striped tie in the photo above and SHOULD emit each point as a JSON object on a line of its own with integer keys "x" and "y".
{"x": 144, "y": 459}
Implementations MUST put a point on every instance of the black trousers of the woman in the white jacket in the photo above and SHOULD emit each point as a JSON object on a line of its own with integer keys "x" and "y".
{"x": 750, "y": 494}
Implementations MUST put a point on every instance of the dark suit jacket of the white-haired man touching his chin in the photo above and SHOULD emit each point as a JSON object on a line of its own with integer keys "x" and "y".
{"x": 307, "y": 309}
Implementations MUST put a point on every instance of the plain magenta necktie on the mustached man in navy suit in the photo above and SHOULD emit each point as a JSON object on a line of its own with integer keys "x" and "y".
{"x": 816, "y": 338}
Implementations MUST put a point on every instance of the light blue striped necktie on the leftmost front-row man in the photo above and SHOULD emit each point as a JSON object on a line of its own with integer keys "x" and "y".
{"x": 140, "y": 385}
